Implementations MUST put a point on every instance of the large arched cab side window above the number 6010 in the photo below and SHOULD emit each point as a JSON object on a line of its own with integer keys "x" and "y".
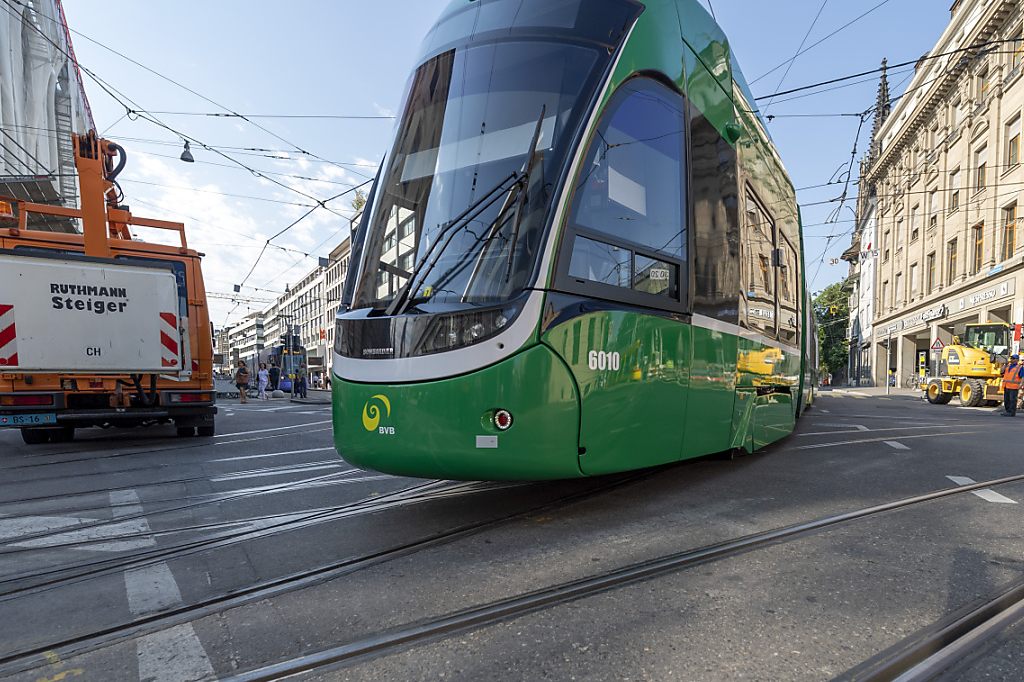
{"x": 627, "y": 217}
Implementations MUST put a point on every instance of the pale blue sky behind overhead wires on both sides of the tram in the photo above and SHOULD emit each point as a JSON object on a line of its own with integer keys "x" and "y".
{"x": 349, "y": 58}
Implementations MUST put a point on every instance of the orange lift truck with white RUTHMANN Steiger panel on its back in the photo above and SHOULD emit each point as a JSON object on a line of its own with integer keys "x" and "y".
{"x": 98, "y": 328}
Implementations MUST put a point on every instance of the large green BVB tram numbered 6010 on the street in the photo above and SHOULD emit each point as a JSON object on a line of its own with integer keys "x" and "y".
{"x": 582, "y": 254}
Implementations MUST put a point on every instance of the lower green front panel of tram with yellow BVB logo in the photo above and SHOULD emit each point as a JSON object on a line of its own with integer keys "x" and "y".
{"x": 446, "y": 429}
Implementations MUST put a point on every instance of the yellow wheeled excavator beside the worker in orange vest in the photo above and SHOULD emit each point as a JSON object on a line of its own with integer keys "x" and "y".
{"x": 971, "y": 367}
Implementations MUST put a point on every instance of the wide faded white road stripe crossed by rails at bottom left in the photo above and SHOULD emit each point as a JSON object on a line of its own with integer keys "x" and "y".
{"x": 175, "y": 655}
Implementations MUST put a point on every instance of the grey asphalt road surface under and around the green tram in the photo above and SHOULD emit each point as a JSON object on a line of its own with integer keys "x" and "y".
{"x": 136, "y": 556}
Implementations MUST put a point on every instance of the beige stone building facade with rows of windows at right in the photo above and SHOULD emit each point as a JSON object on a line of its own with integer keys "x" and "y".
{"x": 946, "y": 174}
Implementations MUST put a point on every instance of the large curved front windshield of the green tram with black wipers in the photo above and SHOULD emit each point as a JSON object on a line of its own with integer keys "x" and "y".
{"x": 486, "y": 130}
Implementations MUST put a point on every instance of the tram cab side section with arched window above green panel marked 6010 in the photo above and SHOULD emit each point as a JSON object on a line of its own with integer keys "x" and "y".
{"x": 623, "y": 261}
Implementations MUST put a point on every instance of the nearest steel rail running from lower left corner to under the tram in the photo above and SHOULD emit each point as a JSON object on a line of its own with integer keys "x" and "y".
{"x": 30, "y": 659}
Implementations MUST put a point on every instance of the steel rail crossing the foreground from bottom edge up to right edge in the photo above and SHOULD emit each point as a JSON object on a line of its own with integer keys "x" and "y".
{"x": 410, "y": 635}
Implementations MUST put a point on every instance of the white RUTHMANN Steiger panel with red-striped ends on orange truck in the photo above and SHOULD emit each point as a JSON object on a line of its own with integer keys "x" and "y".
{"x": 76, "y": 317}
